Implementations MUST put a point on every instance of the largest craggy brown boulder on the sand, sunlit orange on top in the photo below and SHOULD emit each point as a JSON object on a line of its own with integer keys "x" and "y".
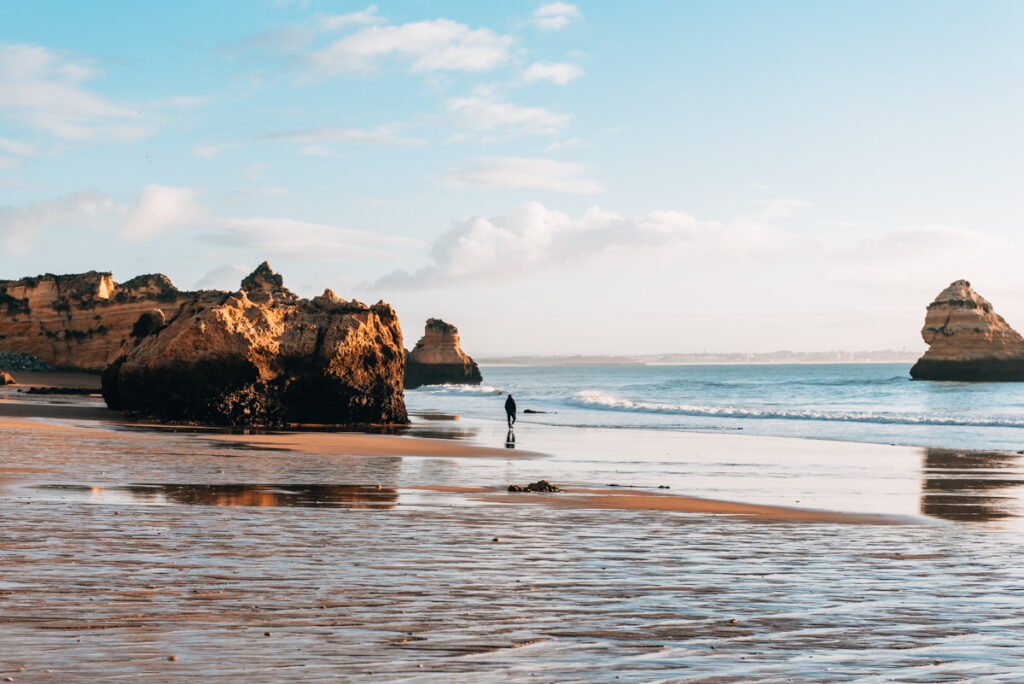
{"x": 263, "y": 357}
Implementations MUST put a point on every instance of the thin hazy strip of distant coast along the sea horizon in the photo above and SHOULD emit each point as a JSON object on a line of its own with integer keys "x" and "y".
{"x": 707, "y": 359}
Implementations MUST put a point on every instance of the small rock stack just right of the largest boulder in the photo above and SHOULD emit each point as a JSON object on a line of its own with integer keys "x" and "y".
{"x": 438, "y": 359}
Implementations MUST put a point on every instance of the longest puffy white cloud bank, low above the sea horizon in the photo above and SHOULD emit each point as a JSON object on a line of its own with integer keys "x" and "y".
{"x": 532, "y": 237}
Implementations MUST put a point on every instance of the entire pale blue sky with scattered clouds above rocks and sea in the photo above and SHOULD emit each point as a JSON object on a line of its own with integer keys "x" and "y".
{"x": 590, "y": 178}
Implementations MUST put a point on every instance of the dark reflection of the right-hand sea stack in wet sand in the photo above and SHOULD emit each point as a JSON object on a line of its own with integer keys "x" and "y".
{"x": 971, "y": 486}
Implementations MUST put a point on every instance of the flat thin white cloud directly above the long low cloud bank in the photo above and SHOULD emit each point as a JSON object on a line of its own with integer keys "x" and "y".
{"x": 526, "y": 174}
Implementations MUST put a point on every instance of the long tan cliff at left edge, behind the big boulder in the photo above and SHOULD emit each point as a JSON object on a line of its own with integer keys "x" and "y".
{"x": 79, "y": 321}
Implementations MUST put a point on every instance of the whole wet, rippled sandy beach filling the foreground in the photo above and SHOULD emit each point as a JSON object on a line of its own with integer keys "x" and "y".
{"x": 170, "y": 552}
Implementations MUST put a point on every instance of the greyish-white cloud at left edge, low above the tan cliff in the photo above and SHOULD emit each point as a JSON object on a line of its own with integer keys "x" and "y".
{"x": 19, "y": 226}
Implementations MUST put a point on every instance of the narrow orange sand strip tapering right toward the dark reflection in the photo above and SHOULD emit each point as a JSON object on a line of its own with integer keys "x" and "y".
{"x": 613, "y": 499}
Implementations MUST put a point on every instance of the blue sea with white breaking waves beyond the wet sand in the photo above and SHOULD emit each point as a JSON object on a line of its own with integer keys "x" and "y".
{"x": 873, "y": 403}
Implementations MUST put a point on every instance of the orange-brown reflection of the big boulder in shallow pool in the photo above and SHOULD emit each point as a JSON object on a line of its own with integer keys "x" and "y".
{"x": 307, "y": 496}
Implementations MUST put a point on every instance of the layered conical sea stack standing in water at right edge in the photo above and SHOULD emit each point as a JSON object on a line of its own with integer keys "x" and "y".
{"x": 968, "y": 340}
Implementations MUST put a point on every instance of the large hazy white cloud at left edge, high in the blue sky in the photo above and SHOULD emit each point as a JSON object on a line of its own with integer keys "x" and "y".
{"x": 42, "y": 90}
